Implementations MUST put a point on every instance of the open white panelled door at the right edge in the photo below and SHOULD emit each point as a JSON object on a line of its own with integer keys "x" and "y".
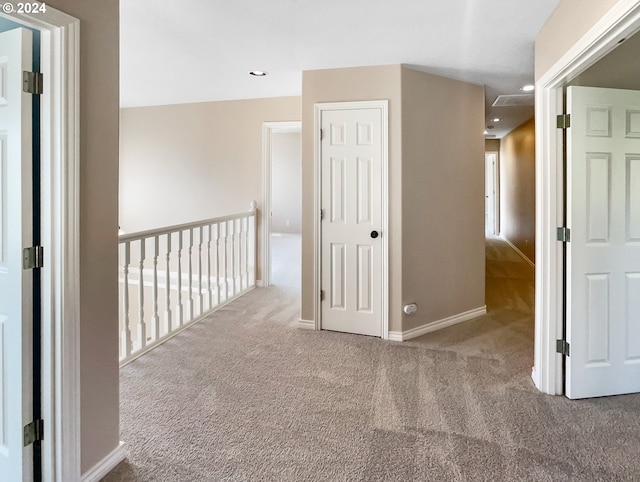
{"x": 603, "y": 255}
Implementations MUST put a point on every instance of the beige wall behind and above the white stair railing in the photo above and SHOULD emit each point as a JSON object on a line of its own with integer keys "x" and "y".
{"x": 188, "y": 162}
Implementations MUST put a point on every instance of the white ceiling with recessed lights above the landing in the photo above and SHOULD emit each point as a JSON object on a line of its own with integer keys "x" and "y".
{"x": 202, "y": 50}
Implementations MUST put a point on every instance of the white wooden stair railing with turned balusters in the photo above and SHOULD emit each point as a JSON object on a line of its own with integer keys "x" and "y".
{"x": 172, "y": 277}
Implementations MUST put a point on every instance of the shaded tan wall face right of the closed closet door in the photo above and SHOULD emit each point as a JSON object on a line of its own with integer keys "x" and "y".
{"x": 442, "y": 196}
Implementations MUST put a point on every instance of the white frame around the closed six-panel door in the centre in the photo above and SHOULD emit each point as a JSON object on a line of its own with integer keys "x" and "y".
{"x": 383, "y": 106}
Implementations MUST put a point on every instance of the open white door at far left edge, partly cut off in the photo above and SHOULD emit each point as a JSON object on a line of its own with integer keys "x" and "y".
{"x": 15, "y": 234}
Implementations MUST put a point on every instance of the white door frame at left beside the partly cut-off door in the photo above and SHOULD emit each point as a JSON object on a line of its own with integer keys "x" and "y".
{"x": 60, "y": 146}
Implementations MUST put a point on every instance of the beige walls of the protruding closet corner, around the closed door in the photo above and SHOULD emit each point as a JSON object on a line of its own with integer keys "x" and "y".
{"x": 430, "y": 164}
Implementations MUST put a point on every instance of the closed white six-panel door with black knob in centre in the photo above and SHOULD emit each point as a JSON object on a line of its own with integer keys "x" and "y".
{"x": 351, "y": 202}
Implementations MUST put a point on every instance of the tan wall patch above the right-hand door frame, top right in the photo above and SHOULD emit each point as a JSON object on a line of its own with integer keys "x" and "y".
{"x": 568, "y": 23}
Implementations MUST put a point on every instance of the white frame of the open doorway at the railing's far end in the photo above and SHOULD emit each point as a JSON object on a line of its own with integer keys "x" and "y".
{"x": 268, "y": 129}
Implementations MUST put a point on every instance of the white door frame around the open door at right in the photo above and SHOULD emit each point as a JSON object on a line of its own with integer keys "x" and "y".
{"x": 618, "y": 23}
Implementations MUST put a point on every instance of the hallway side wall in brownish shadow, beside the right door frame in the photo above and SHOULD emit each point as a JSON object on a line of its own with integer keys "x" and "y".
{"x": 518, "y": 188}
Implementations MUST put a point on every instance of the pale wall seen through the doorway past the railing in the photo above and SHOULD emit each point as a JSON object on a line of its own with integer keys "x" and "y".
{"x": 286, "y": 170}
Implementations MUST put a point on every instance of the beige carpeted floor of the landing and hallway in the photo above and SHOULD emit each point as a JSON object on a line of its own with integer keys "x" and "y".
{"x": 244, "y": 395}
